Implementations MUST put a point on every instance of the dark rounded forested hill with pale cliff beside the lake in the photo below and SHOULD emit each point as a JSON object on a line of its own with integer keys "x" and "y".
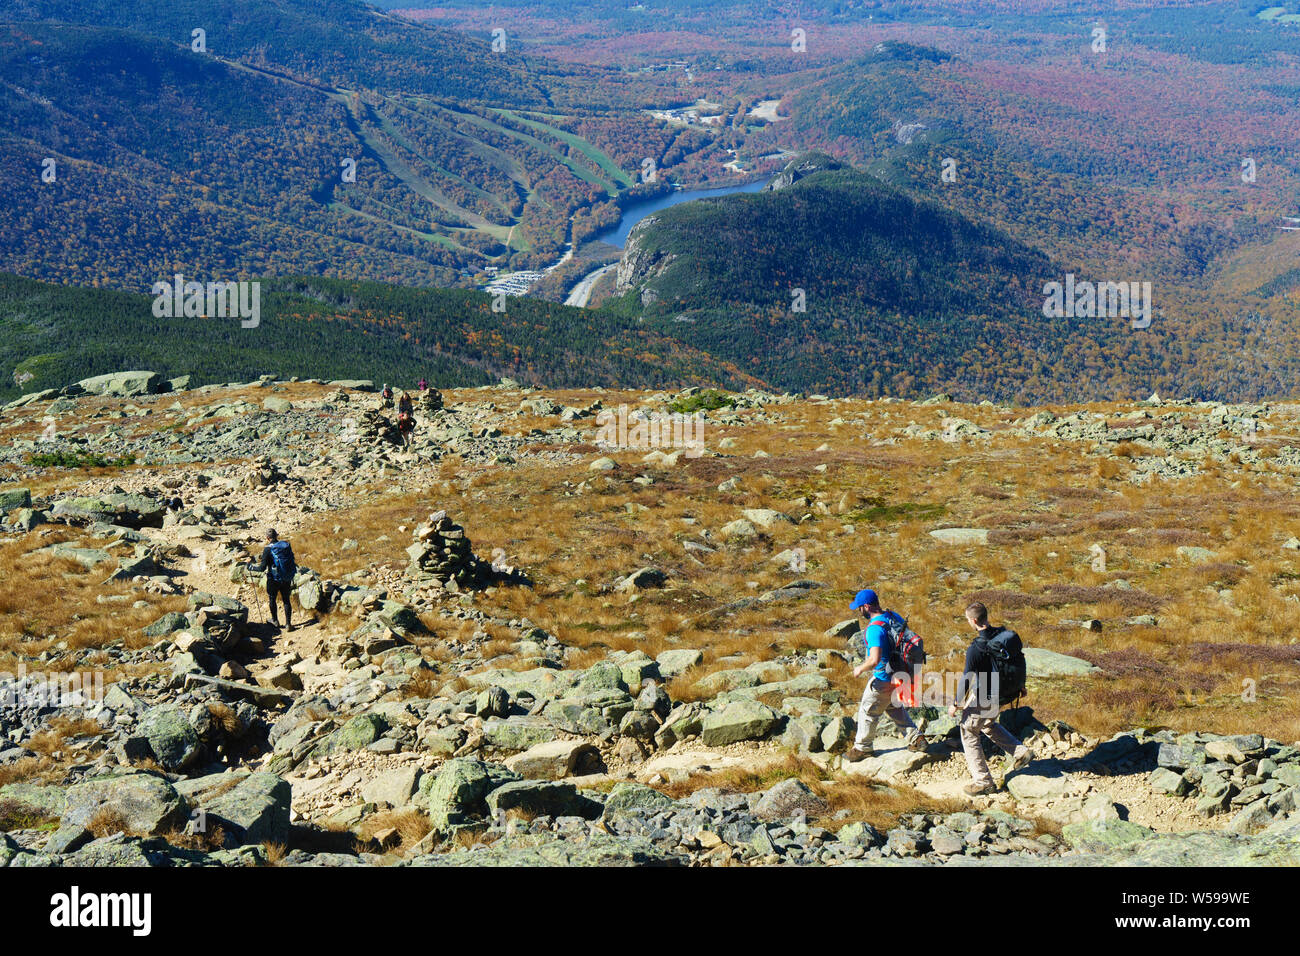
{"x": 900, "y": 296}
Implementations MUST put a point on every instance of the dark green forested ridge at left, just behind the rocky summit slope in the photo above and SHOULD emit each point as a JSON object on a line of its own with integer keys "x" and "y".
{"x": 51, "y": 336}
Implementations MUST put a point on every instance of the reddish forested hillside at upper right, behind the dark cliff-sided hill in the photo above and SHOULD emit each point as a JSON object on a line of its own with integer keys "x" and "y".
{"x": 1086, "y": 178}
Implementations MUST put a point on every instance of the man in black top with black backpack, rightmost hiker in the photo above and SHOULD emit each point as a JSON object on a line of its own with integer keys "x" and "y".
{"x": 994, "y": 677}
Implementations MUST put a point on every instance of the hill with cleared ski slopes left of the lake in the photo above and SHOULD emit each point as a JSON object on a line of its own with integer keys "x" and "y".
{"x": 317, "y": 139}
